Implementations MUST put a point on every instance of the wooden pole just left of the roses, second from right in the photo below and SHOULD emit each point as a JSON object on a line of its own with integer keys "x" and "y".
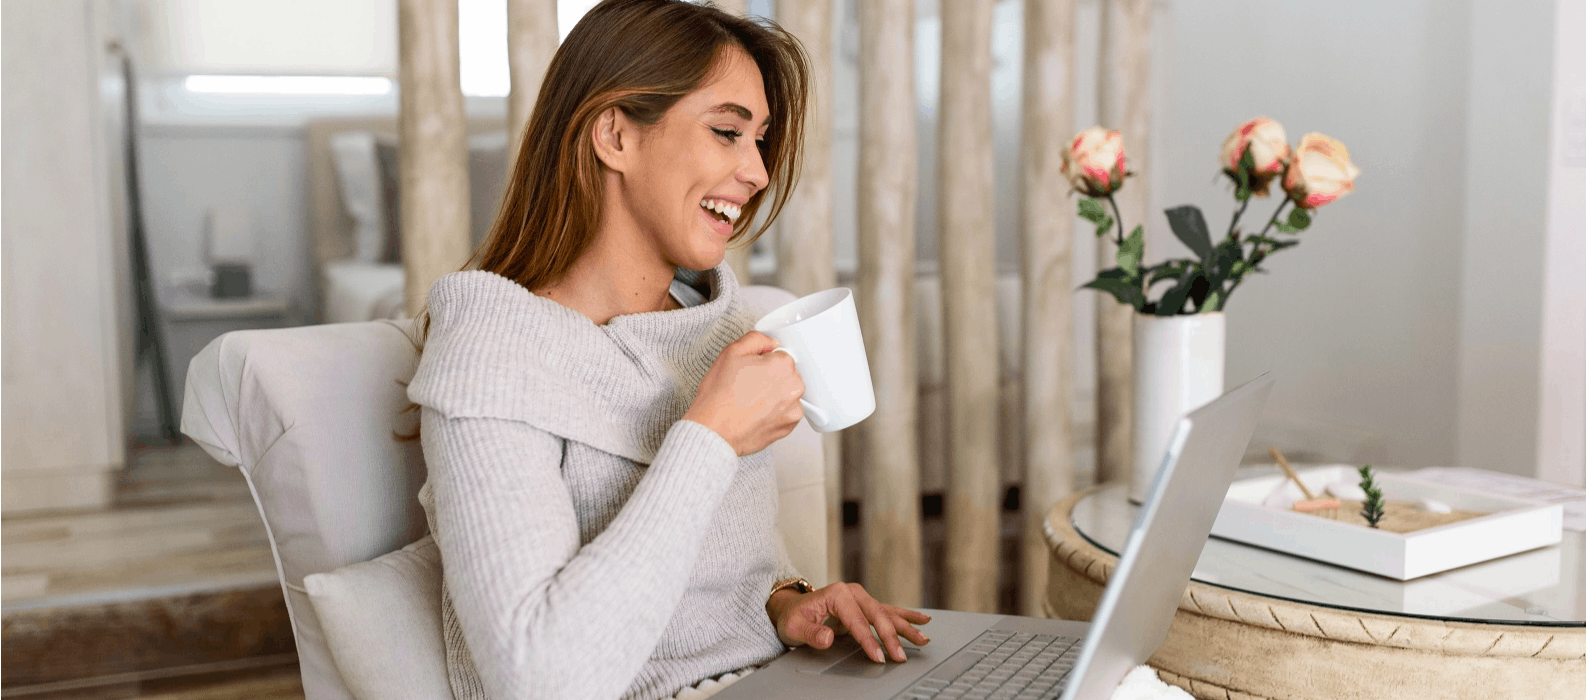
{"x": 1048, "y": 247}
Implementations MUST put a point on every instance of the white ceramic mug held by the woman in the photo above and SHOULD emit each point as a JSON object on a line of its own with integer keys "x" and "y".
{"x": 822, "y": 336}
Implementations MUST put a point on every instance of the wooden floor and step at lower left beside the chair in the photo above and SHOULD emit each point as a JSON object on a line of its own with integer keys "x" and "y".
{"x": 144, "y": 599}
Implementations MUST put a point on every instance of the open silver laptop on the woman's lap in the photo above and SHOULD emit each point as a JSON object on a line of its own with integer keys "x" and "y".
{"x": 994, "y": 656}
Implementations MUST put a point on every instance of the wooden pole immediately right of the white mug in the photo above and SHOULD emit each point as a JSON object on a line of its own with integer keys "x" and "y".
{"x": 886, "y": 299}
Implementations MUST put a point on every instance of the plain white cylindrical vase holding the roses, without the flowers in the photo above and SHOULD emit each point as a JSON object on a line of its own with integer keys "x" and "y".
{"x": 1178, "y": 369}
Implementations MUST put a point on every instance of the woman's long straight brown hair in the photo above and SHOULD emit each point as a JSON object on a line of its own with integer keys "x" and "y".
{"x": 640, "y": 56}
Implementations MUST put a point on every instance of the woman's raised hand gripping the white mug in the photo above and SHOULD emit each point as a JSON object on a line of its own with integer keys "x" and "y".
{"x": 751, "y": 396}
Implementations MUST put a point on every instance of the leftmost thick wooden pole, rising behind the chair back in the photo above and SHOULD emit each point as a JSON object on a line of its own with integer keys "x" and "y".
{"x": 434, "y": 140}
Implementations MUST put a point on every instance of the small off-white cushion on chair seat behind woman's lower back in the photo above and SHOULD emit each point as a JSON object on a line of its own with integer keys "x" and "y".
{"x": 383, "y": 620}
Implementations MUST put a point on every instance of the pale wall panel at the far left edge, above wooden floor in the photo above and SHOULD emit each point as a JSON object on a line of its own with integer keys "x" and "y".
{"x": 67, "y": 328}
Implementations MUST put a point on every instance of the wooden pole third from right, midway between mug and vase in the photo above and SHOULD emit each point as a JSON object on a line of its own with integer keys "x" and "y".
{"x": 968, "y": 274}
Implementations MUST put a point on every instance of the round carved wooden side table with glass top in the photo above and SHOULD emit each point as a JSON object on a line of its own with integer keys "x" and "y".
{"x": 1262, "y": 625}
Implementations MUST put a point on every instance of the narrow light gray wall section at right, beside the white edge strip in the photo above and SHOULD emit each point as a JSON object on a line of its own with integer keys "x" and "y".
{"x": 1509, "y": 104}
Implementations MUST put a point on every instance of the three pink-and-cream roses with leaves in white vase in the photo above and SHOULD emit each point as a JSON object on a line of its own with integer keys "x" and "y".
{"x": 1179, "y": 329}
